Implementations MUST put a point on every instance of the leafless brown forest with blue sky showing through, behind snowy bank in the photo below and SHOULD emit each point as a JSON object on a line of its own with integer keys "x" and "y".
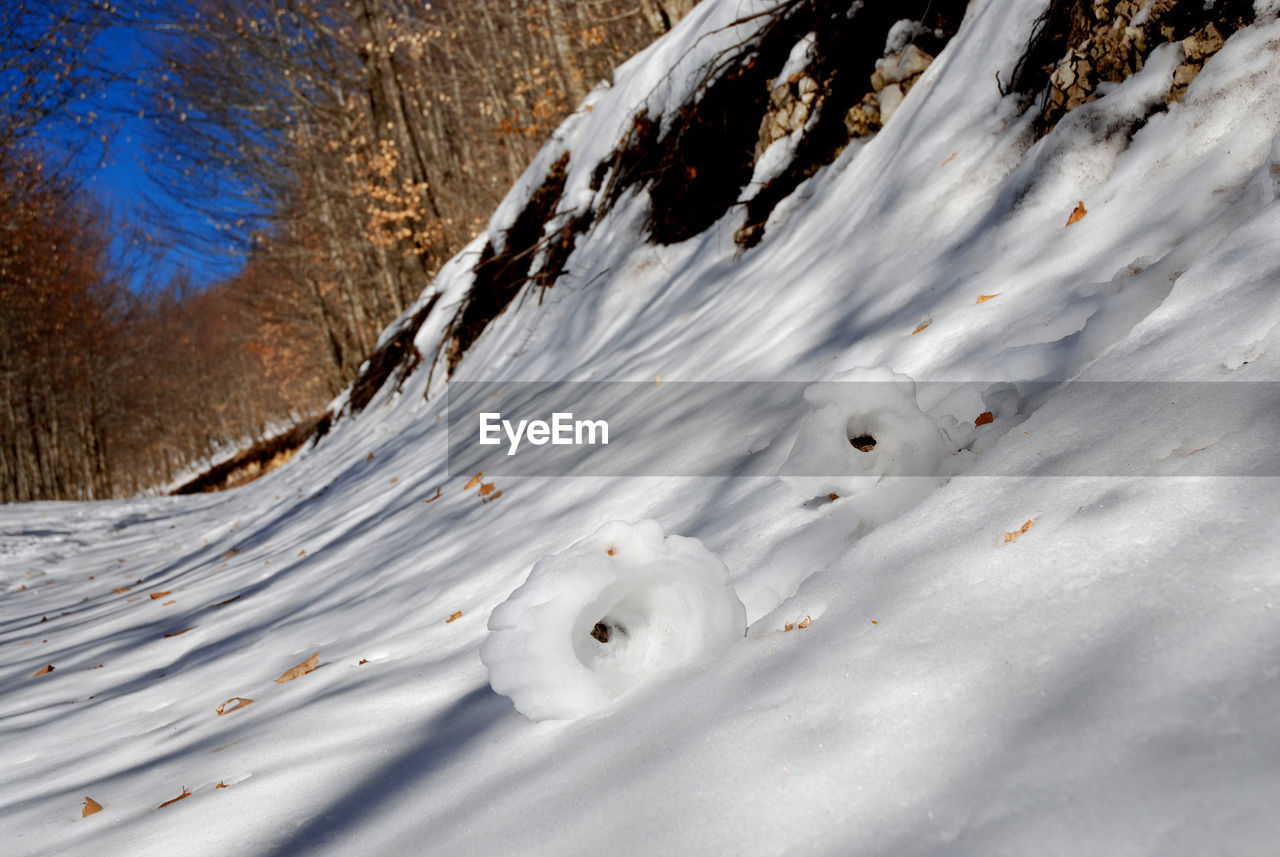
{"x": 332, "y": 153}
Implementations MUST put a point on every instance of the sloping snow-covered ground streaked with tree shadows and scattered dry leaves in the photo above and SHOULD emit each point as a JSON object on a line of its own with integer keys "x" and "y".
{"x": 1023, "y": 662}
